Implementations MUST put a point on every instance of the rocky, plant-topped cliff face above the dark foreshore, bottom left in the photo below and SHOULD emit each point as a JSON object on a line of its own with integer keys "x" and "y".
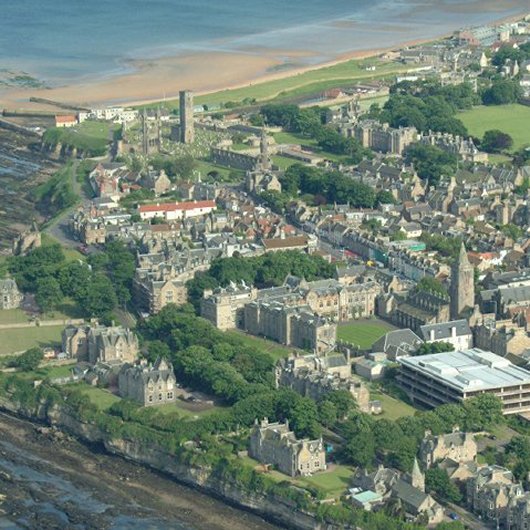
{"x": 279, "y": 511}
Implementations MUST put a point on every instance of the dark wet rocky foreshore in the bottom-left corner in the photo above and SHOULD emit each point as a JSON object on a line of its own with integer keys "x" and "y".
{"x": 50, "y": 480}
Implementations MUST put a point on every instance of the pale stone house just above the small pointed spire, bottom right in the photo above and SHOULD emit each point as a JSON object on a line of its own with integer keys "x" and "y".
{"x": 457, "y": 446}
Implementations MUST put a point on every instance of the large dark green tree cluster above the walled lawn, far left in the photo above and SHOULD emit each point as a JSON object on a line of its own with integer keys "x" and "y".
{"x": 97, "y": 286}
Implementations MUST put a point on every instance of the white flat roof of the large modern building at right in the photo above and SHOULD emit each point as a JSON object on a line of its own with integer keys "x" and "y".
{"x": 469, "y": 370}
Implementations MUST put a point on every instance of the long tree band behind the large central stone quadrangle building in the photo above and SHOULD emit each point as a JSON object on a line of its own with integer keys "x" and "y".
{"x": 268, "y": 270}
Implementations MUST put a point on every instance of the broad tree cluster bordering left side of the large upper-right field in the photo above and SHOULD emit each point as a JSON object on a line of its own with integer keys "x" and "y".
{"x": 427, "y": 105}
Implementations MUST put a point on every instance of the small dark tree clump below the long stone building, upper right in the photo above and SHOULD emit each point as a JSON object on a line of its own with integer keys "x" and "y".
{"x": 430, "y": 162}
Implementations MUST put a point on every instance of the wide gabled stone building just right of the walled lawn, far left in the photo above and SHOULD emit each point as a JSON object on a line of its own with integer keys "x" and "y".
{"x": 95, "y": 343}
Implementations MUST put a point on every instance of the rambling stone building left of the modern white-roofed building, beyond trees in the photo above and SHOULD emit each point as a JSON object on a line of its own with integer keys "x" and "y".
{"x": 315, "y": 376}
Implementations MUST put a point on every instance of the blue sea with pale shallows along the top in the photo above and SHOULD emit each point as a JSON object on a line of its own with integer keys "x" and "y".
{"x": 64, "y": 41}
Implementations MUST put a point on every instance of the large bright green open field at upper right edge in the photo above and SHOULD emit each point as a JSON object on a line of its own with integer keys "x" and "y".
{"x": 511, "y": 119}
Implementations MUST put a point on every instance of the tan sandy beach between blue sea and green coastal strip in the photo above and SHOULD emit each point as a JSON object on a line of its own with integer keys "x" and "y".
{"x": 204, "y": 73}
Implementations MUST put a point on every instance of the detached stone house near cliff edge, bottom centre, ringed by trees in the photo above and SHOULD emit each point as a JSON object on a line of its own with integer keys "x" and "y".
{"x": 277, "y": 445}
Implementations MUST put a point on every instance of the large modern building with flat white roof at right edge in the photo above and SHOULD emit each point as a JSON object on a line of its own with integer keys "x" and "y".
{"x": 450, "y": 377}
